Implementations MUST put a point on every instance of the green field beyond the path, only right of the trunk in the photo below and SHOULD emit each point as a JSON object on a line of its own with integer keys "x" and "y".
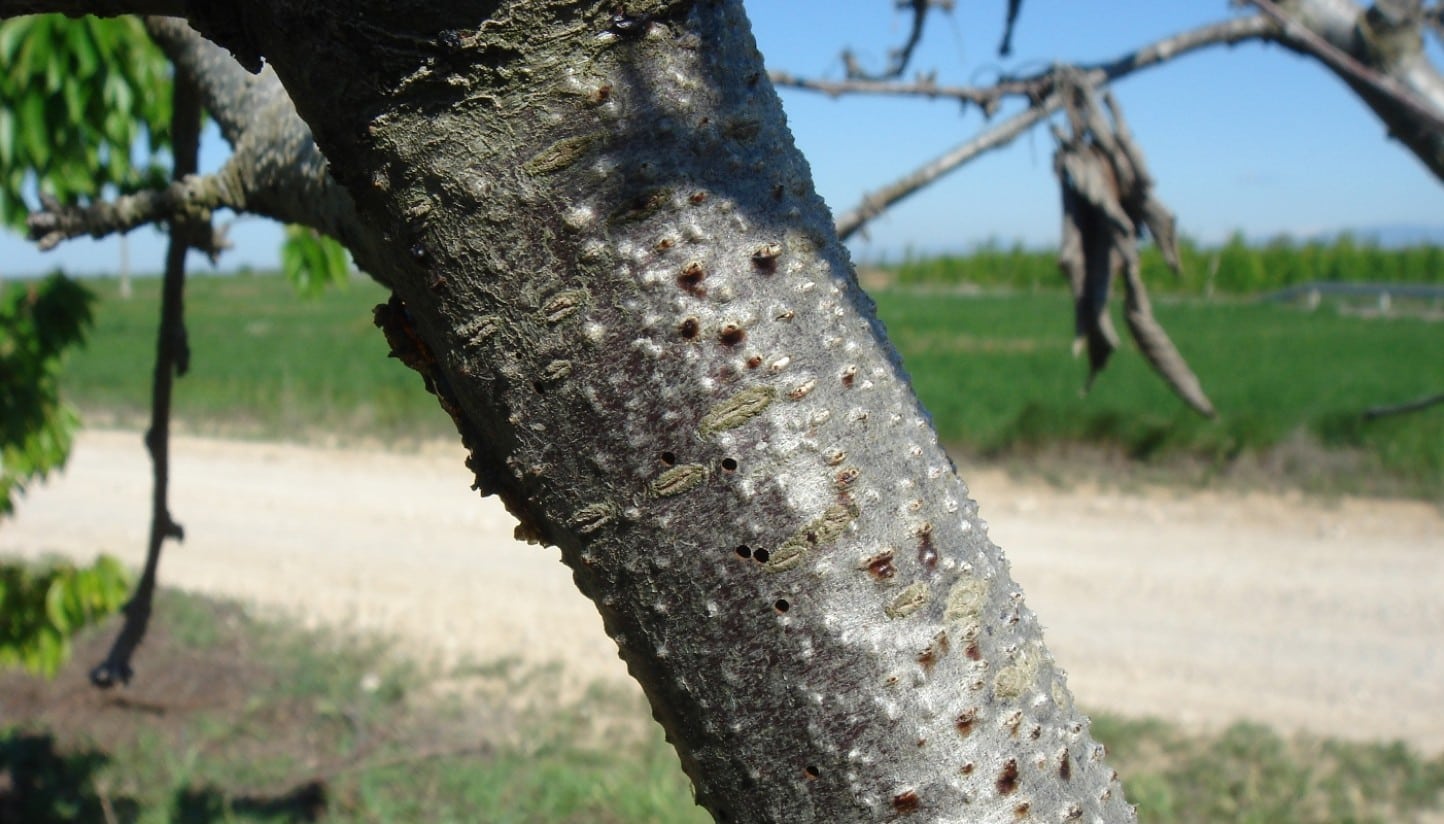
{"x": 997, "y": 374}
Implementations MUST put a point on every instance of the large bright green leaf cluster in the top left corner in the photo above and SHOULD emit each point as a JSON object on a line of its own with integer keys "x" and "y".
{"x": 77, "y": 96}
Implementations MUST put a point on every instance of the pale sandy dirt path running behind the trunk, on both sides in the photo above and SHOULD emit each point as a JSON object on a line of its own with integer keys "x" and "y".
{"x": 1202, "y": 608}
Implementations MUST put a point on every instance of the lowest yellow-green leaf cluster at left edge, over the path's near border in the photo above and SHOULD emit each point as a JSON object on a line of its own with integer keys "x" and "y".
{"x": 45, "y": 607}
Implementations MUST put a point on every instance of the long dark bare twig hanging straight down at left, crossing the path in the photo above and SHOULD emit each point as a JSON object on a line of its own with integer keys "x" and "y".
{"x": 173, "y": 360}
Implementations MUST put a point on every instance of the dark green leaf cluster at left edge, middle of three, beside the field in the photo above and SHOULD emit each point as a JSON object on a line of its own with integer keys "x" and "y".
{"x": 38, "y": 324}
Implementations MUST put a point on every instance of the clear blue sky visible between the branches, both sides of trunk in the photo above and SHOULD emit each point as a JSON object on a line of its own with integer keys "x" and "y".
{"x": 1247, "y": 138}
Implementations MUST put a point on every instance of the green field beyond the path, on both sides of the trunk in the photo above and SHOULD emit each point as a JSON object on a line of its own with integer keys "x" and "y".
{"x": 994, "y": 370}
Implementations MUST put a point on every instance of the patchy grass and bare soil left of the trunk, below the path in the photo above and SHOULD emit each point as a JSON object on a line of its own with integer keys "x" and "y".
{"x": 245, "y": 719}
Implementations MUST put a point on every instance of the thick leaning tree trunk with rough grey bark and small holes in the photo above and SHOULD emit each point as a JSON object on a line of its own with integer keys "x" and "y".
{"x": 612, "y": 268}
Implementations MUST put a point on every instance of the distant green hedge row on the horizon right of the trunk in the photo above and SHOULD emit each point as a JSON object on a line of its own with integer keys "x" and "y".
{"x": 1234, "y": 268}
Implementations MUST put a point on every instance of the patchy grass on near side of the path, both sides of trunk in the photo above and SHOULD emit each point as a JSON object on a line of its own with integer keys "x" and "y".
{"x": 252, "y": 721}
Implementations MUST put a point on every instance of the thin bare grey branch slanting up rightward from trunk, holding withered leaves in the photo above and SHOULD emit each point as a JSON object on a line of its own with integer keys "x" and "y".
{"x": 1097, "y": 76}
